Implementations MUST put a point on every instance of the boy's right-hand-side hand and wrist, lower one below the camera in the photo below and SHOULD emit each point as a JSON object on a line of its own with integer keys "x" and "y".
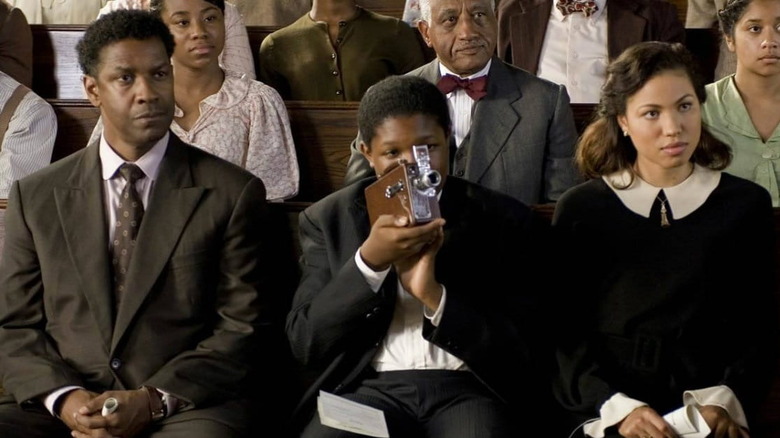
{"x": 417, "y": 272}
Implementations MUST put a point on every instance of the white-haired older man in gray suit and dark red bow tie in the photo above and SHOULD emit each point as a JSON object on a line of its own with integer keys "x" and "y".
{"x": 511, "y": 131}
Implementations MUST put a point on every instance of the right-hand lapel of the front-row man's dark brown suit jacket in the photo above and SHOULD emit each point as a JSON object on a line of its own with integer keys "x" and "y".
{"x": 171, "y": 204}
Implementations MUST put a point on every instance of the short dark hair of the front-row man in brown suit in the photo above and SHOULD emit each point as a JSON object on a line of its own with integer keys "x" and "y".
{"x": 118, "y": 26}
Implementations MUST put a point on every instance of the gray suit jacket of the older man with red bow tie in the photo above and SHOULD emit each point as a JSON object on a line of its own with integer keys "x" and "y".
{"x": 521, "y": 141}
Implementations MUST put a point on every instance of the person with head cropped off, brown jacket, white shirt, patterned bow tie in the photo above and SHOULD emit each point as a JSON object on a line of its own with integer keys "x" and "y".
{"x": 570, "y": 42}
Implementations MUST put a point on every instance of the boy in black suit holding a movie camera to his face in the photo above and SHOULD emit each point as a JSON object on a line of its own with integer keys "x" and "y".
{"x": 430, "y": 323}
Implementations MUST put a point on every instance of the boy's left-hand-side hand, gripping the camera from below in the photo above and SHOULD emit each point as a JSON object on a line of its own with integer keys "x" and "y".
{"x": 392, "y": 240}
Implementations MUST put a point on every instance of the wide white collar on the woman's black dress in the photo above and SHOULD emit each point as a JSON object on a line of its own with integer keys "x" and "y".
{"x": 684, "y": 198}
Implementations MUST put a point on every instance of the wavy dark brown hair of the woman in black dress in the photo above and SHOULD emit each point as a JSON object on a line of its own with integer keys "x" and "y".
{"x": 601, "y": 150}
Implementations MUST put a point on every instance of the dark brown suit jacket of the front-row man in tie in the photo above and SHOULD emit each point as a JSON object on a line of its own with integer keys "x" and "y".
{"x": 195, "y": 306}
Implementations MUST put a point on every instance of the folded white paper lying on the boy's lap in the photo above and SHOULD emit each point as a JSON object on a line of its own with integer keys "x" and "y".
{"x": 340, "y": 413}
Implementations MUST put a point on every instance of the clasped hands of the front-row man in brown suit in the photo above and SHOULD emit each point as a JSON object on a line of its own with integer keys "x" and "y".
{"x": 130, "y": 418}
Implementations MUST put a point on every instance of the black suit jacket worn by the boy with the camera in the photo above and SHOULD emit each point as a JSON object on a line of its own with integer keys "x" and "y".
{"x": 493, "y": 245}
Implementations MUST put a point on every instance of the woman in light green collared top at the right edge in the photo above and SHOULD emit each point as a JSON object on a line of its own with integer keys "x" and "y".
{"x": 743, "y": 109}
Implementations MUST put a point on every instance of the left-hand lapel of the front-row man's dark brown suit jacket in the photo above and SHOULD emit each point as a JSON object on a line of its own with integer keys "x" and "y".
{"x": 81, "y": 211}
